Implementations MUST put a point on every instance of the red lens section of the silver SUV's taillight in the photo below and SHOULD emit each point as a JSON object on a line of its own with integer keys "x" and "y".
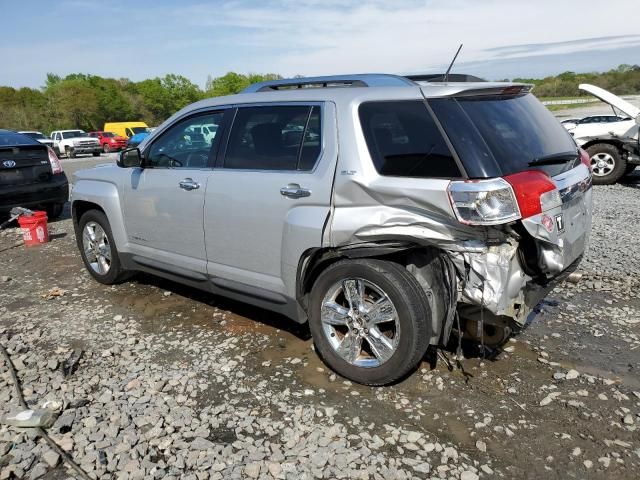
{"x": 535, "y": 192}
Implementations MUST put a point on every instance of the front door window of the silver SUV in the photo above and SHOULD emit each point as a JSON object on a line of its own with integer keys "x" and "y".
{"x": 184, "y": 145}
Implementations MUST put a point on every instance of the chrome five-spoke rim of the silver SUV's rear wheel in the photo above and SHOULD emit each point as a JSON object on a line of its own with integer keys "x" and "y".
{"x": 360, "y": 322}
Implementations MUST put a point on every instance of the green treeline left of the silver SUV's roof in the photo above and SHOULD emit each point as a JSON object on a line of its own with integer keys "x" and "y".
{"x": 89, "y": 101}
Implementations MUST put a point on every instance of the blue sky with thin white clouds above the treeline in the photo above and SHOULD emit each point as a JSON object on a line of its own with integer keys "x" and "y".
{"x": 196, "y": 38}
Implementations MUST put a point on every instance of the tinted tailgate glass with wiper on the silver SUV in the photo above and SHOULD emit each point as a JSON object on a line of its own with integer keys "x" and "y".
{"x": 501, "y": 135}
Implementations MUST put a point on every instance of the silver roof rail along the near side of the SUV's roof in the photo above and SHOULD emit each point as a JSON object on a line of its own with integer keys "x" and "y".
{"x": 336, "y": 81}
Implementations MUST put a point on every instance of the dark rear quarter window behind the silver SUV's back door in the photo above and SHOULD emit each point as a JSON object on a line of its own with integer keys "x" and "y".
{"x": 404, "y": 140}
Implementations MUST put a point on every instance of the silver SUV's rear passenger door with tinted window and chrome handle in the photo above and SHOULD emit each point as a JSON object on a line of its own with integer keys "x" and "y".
{"x": 269, "y": 197}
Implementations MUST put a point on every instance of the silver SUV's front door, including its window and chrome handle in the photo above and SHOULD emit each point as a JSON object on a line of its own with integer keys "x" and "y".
{"x": 164, "y": 200}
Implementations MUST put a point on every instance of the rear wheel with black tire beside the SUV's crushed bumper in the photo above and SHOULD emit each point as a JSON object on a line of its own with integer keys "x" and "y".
{"x": 370, "y": 320}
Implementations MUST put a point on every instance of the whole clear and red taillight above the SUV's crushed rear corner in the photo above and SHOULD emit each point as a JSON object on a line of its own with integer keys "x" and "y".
{"x": 503, "y": 200}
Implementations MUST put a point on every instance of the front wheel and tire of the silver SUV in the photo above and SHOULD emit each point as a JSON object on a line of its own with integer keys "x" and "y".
{"x": 97, "y": 248}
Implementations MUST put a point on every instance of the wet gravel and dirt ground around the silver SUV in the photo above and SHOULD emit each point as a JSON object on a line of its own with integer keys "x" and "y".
{"x": 179, "y": 384}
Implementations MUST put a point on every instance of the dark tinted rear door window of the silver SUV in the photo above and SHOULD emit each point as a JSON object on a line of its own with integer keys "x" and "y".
{"x": 274, "y": 138}
